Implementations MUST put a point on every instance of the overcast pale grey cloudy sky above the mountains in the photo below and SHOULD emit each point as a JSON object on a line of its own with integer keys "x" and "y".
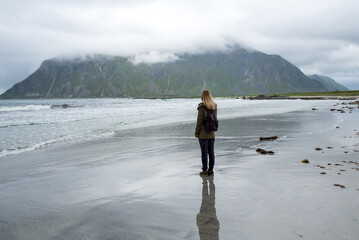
{"x": 318, "y": 36}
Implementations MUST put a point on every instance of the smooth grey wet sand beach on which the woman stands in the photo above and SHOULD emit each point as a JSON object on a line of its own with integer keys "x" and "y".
{"x": 144, "y": 184}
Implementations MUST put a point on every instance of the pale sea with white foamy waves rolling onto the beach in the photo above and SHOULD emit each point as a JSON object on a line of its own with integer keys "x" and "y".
{"x": 26, "y": 125}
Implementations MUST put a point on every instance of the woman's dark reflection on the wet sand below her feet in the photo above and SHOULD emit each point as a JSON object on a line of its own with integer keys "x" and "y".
{"x": 207, "y": 222}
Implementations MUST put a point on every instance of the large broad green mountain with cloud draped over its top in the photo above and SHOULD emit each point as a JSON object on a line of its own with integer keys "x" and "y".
{"x": 238, "y": 71}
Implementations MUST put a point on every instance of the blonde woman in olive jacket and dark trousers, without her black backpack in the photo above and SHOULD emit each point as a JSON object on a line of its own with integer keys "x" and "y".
{"x": 206, "y": 139}
